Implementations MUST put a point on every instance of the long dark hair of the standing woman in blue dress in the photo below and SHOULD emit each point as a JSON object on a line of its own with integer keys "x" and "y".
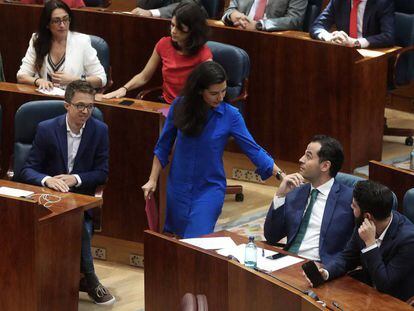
{"x": 190, "y": 113}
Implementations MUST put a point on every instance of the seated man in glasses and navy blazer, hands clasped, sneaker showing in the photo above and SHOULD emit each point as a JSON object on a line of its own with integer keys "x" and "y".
{"x": 70, "y": 153}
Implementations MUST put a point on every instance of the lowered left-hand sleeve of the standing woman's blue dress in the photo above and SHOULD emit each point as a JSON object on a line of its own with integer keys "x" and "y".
{"x": 166, "y": 141}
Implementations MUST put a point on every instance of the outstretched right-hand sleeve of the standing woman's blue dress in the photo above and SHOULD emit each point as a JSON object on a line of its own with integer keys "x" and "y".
{"x": 263, "y": 161}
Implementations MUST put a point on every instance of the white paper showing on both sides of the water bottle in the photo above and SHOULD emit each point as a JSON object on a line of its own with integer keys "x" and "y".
{"x": 263, "y": 263}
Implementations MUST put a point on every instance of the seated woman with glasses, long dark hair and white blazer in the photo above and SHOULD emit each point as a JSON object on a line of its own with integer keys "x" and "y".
{"x": 57, "y": 55}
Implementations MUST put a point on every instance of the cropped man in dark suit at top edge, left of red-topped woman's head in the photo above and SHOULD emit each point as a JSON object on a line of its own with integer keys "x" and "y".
{"x": 158, "y": 8}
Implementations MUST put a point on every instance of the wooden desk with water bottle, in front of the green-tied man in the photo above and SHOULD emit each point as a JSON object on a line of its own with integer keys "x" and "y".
{"x": 173, "y": 268}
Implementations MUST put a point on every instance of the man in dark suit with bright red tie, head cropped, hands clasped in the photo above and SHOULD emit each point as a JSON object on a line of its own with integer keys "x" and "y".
{"x": 368, "y": 23}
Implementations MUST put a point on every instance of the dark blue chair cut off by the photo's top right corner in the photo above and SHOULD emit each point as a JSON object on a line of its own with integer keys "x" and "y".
{"x": 402, "y": 77}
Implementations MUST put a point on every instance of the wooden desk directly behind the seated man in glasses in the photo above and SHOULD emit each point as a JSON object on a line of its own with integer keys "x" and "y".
{"x": 133, "y": 132}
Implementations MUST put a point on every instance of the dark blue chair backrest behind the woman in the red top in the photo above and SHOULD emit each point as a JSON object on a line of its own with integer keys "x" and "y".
{"x": 236, "y": 63}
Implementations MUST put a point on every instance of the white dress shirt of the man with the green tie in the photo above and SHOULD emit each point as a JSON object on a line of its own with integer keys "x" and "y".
{"x": 310, "y": 244}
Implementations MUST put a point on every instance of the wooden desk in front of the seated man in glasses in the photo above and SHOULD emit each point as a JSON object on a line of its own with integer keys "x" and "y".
{"x": 40, "y": 256}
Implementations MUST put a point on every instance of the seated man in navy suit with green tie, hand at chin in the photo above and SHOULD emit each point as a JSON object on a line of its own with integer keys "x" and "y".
{"x": 316, "y": 217}
